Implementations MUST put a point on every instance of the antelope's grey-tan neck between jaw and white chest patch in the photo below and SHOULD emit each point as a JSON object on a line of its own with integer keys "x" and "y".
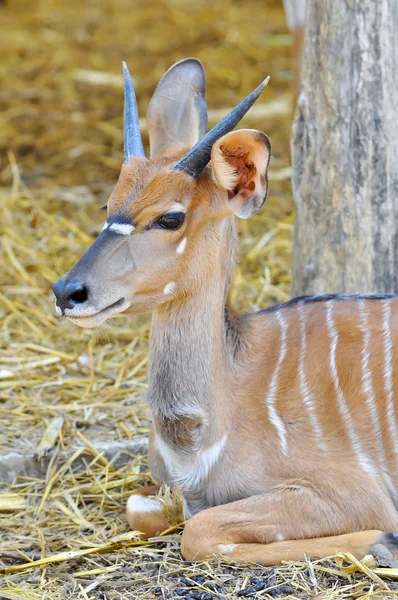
{"x": 191, "y": 365}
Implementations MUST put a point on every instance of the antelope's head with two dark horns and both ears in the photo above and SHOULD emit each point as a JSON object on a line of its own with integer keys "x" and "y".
{"x": 166, "y": 216}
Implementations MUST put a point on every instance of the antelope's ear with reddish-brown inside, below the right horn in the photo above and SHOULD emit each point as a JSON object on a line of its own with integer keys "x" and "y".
{"x": 240, "y": 161}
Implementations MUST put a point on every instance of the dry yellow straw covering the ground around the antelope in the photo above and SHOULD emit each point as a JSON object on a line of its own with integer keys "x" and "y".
{"x": 66, "y": 396}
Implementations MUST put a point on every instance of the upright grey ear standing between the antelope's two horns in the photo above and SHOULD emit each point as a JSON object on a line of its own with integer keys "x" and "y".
{"x": 177, "y": 113}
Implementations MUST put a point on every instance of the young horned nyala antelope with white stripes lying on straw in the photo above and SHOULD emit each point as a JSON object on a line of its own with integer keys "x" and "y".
{"x": 280, "y": 427}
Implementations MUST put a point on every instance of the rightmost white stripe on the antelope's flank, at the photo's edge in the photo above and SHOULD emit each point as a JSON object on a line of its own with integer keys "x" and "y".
{"x": 388, "y": 373}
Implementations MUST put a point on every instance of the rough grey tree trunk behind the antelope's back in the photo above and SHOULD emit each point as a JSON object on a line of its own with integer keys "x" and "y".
{"x": 345, "y": 150}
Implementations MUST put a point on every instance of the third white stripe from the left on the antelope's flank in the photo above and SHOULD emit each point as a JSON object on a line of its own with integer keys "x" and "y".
{"x": 365, "y": 463}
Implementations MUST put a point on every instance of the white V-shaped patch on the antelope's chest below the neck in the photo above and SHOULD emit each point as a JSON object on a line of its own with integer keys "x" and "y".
{"x": 189, "y": 469}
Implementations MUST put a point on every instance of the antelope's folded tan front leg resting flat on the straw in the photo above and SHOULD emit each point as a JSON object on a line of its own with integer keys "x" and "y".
{"x": 285, "y": 525}
